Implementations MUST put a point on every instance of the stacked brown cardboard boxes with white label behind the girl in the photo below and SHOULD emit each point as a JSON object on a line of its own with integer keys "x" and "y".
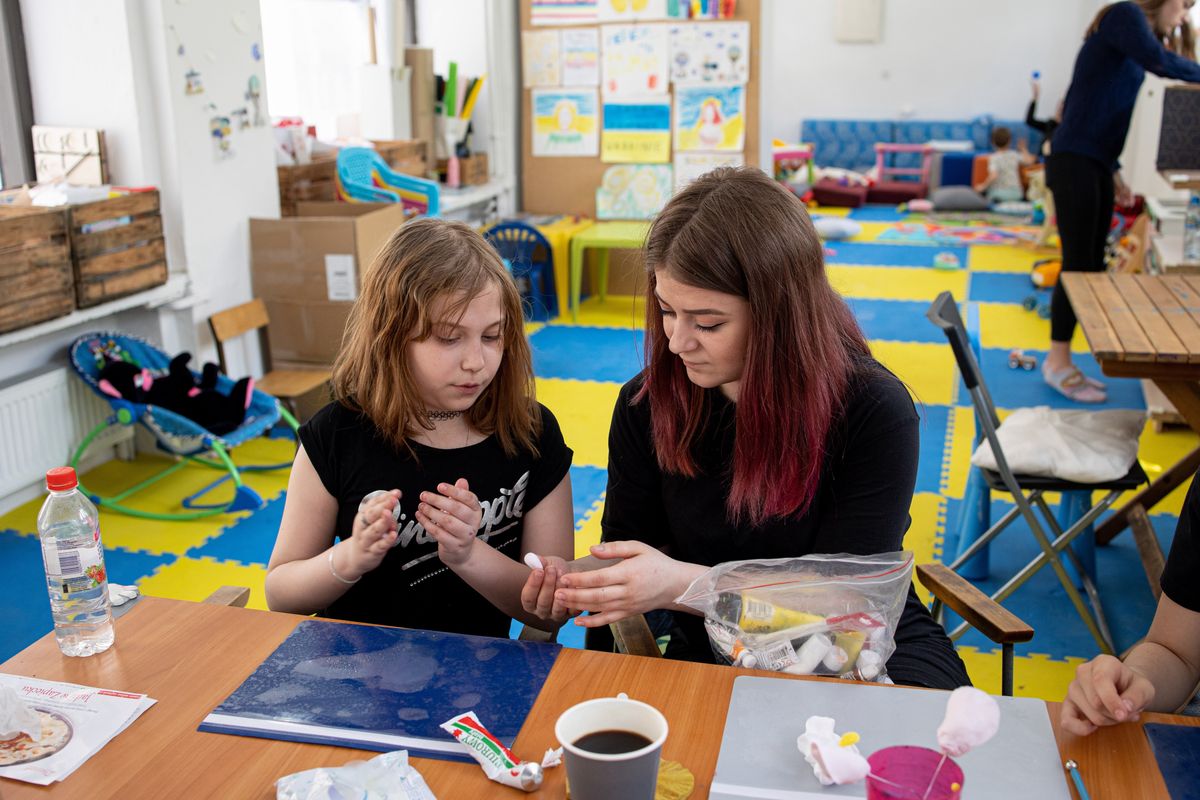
{"x": 308, "y": 269}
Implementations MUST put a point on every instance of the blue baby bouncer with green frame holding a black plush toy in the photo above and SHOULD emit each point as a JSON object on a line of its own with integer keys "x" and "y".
{"x": 189, "y": 442}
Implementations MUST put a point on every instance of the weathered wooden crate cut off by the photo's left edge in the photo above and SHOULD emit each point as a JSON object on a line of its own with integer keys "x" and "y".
{"x": 35, "y": 267}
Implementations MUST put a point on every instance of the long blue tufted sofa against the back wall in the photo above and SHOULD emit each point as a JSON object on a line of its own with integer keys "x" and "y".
{"x": 850, "y": 145}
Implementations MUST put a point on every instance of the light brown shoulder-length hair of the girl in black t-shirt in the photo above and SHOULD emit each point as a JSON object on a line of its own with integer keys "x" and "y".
{"x": 427, "y": 261}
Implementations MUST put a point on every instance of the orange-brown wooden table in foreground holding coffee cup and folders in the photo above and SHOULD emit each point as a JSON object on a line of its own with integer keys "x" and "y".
{"x": 191, "y": 657}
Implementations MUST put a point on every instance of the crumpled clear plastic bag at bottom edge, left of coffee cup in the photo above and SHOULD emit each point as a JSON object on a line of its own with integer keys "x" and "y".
{"x": 383, "y": 778}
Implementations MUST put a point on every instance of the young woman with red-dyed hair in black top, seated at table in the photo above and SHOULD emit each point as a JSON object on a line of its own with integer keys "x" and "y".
{"x": 760, "y": 429}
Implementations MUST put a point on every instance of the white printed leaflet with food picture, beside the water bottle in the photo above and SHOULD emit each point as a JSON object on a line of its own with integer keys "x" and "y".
{"x": 77, "y": 723}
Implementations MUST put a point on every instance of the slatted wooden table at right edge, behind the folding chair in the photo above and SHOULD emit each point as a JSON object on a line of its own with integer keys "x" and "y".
{"x": 1145, "y": 327}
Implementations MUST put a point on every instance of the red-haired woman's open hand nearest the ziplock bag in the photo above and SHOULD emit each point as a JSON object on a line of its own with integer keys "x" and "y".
{"x": 645, "y": 580}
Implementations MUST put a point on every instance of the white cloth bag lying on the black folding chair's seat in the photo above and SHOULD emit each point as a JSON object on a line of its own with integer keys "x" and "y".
{"x": 1082, "y": 447}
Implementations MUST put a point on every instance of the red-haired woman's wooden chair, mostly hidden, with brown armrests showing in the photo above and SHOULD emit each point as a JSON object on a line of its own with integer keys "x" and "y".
{"x": 633, "y": 635}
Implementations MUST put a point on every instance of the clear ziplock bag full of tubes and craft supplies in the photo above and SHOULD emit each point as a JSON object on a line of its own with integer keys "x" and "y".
{"x": 811, "y": 616}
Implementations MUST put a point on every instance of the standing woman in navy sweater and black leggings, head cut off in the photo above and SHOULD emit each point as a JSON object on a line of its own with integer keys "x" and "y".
{"x": 1083, "y": 172}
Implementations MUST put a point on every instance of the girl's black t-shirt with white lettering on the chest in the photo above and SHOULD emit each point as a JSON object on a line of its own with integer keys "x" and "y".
{"x": 412, "y": 588}
